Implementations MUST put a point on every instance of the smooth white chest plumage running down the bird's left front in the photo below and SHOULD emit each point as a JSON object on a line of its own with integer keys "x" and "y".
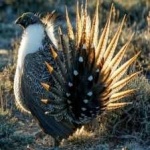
{"x": 31, "y": 42}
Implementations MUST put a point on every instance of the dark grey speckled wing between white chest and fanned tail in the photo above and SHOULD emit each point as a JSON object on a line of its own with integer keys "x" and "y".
{"x": 34, "y": 72}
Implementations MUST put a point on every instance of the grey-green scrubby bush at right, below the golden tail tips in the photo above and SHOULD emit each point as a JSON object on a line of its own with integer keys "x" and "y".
{"x": 131, "y": 122}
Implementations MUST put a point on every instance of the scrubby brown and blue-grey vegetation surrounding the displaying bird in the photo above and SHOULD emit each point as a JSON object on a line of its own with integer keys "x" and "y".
{"x": 127, "y": 128}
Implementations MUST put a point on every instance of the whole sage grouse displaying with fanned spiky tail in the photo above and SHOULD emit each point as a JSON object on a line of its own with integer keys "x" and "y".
{"x": 67, "y": 81}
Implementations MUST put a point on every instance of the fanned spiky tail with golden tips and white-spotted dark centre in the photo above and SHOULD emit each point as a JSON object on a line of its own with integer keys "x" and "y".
{"x": 88, "y": 78}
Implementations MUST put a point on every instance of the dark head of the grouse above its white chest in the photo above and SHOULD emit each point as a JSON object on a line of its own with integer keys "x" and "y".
{"x": 27, "y": 19}
